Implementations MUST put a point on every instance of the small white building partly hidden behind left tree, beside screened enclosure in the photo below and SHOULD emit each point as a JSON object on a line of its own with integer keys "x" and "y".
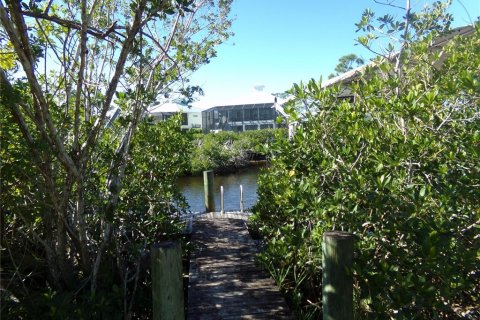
{"x": 191, "y": 116}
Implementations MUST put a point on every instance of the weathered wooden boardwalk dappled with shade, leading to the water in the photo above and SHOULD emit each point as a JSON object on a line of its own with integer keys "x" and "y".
{"x": 225, "y": 282}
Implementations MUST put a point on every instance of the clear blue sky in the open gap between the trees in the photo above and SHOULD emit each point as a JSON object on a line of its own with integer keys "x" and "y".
{"x": 280, "y": 42}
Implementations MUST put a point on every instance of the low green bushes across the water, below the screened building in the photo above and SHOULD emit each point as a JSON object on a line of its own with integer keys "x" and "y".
{"x": 227, "y": 151}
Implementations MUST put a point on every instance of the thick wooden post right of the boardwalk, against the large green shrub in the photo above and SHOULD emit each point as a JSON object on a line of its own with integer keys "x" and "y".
{"x": 337, "y": 279}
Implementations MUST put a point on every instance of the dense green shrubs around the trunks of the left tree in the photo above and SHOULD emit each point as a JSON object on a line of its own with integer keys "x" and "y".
{"x": 150, "y": 200}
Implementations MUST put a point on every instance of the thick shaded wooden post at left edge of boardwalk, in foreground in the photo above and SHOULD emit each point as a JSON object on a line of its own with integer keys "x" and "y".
{"x": 167, "y": 281}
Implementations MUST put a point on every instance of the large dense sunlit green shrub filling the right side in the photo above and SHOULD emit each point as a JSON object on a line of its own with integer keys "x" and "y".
{"x": 399, "y": 167}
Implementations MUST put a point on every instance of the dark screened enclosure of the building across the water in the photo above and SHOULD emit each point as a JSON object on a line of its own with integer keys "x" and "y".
{"x": 240, "y": 117}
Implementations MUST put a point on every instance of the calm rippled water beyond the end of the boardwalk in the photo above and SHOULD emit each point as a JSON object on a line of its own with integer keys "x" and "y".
{"x": 192, "y": 189}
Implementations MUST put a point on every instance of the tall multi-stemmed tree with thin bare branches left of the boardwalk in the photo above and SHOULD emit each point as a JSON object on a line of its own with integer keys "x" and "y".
{"x": 66, "y": 68}
